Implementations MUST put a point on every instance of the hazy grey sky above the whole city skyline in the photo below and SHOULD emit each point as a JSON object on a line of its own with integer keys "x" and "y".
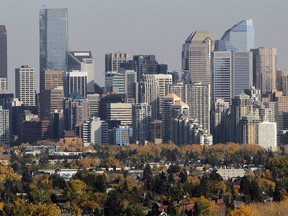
{"x": 140, "y": 27}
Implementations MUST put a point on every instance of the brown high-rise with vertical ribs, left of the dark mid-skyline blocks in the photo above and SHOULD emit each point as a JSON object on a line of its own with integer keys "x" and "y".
{"x": 113, "y": 61}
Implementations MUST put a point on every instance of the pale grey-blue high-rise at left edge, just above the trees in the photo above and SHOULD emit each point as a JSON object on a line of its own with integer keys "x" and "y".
{"x": 4, "y": 127}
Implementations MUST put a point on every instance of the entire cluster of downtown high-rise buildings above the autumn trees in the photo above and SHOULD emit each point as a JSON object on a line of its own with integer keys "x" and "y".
{"x": 227, "y": 91}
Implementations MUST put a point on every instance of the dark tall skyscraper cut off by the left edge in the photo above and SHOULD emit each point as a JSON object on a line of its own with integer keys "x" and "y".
{"x": 3, "y": 52}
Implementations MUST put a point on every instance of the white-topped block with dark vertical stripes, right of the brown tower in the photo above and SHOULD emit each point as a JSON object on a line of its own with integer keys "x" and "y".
{"x": 75, "y": 82}
